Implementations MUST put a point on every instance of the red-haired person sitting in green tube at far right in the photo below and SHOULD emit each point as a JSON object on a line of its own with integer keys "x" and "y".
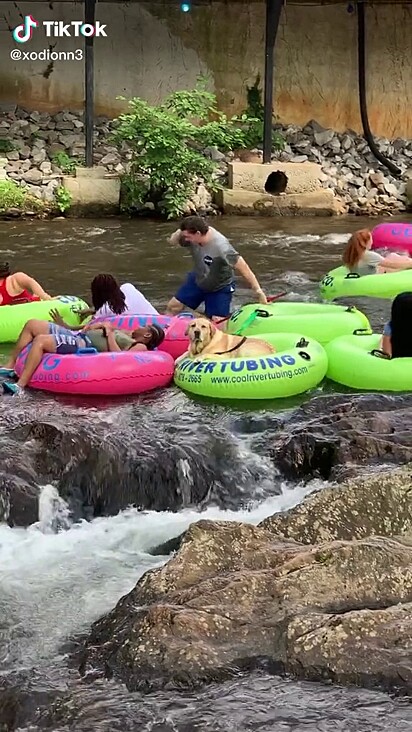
{"x": 359, "y": 259}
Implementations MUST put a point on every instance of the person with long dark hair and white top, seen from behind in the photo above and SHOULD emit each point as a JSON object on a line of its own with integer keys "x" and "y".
{"x": 108, "y": 298}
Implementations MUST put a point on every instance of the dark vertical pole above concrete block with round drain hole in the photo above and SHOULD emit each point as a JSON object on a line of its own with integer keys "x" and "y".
{"x": 273, "y": 12}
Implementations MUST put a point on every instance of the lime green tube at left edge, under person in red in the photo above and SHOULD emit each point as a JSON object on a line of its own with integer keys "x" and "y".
{"x": 13, "y": 318}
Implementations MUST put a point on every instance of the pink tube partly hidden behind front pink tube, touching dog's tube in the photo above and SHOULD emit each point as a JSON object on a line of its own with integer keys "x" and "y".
{"x": 175, "y": 342}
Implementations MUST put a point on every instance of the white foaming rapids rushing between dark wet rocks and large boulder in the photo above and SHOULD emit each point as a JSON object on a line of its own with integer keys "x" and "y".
{"x": 56, "y": 584}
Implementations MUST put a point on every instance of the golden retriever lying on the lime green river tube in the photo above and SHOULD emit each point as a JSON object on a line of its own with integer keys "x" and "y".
{"x": 206, "y": 340}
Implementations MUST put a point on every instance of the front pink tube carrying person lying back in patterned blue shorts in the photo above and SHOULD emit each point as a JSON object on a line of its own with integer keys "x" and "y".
{"x": 95, "y": 374}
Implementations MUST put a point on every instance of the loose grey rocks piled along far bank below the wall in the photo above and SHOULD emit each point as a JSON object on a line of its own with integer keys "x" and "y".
{"x": 38, "y": 151}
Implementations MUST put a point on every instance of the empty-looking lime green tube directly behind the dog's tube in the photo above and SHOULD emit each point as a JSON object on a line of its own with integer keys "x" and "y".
{"x": 316, "y": 320}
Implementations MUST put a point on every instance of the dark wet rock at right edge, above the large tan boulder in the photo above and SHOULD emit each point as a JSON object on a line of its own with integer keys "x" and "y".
{"x": 347, "y": 433}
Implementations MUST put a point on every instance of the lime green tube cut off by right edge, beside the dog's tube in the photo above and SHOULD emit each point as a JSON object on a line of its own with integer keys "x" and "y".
{"x": 357, "y": 362}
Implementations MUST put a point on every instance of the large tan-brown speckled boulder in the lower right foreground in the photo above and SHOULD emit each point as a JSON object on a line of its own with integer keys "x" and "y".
{"x": 235, "y": 593}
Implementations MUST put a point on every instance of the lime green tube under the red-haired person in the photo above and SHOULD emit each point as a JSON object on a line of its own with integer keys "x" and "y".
{"x": 340, "y": 282}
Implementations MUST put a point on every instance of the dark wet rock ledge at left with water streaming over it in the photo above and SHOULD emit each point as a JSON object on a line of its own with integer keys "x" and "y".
{"x": 100, "y": 472}
